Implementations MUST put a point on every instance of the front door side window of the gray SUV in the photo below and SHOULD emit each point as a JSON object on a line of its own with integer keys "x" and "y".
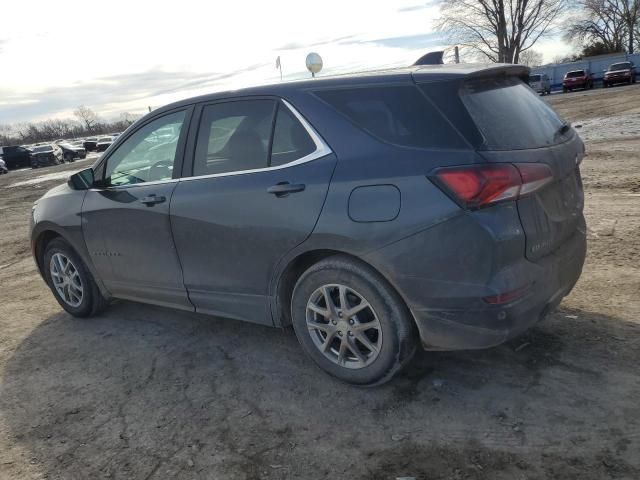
{"x": 148, "y": 155}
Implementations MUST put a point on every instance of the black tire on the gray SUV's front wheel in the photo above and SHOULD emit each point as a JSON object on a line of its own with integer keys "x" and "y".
{"x": 91, "y": 302}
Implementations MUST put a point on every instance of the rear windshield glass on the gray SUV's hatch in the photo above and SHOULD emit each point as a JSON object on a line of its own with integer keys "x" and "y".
{"x": 510, "y": 115}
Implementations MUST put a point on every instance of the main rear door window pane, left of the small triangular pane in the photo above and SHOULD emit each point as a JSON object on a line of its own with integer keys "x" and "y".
{"x": 234, "y": 136}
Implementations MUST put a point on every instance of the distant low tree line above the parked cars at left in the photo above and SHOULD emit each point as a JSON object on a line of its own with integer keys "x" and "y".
{"x": 85, "y": 124}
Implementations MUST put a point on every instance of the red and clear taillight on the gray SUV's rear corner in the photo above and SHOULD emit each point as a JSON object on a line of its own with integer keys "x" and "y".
{"x": 477, "y": 186}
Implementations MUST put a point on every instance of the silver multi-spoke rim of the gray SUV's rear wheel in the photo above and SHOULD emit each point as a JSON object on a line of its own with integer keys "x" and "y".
{"x": 343, "y": 326}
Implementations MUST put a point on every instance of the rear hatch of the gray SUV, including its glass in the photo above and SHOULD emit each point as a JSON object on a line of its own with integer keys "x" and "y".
{"x": 508, "y": 123}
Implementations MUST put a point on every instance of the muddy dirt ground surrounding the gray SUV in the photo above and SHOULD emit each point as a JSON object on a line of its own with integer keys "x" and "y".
{"x": 149, "y": 393}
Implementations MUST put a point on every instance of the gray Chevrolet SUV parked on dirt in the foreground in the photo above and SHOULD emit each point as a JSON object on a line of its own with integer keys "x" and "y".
{"x": 437, "y": 206}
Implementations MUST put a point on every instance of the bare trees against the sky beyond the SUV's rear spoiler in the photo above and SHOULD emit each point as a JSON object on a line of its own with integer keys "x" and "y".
{"x": 505, "y": 31}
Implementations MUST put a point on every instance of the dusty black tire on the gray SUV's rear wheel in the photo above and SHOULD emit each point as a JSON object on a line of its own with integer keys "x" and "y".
{"x": 391, "y": 340}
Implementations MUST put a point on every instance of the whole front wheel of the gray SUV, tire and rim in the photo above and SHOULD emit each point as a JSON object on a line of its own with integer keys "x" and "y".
{"x": 70, "y": 281}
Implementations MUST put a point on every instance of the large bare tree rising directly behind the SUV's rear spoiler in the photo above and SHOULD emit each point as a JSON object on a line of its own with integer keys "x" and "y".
{"x": 499, "y": 30}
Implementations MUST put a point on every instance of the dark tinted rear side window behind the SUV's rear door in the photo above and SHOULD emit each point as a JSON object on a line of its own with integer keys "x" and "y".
{"x": 396, "y": 114}
